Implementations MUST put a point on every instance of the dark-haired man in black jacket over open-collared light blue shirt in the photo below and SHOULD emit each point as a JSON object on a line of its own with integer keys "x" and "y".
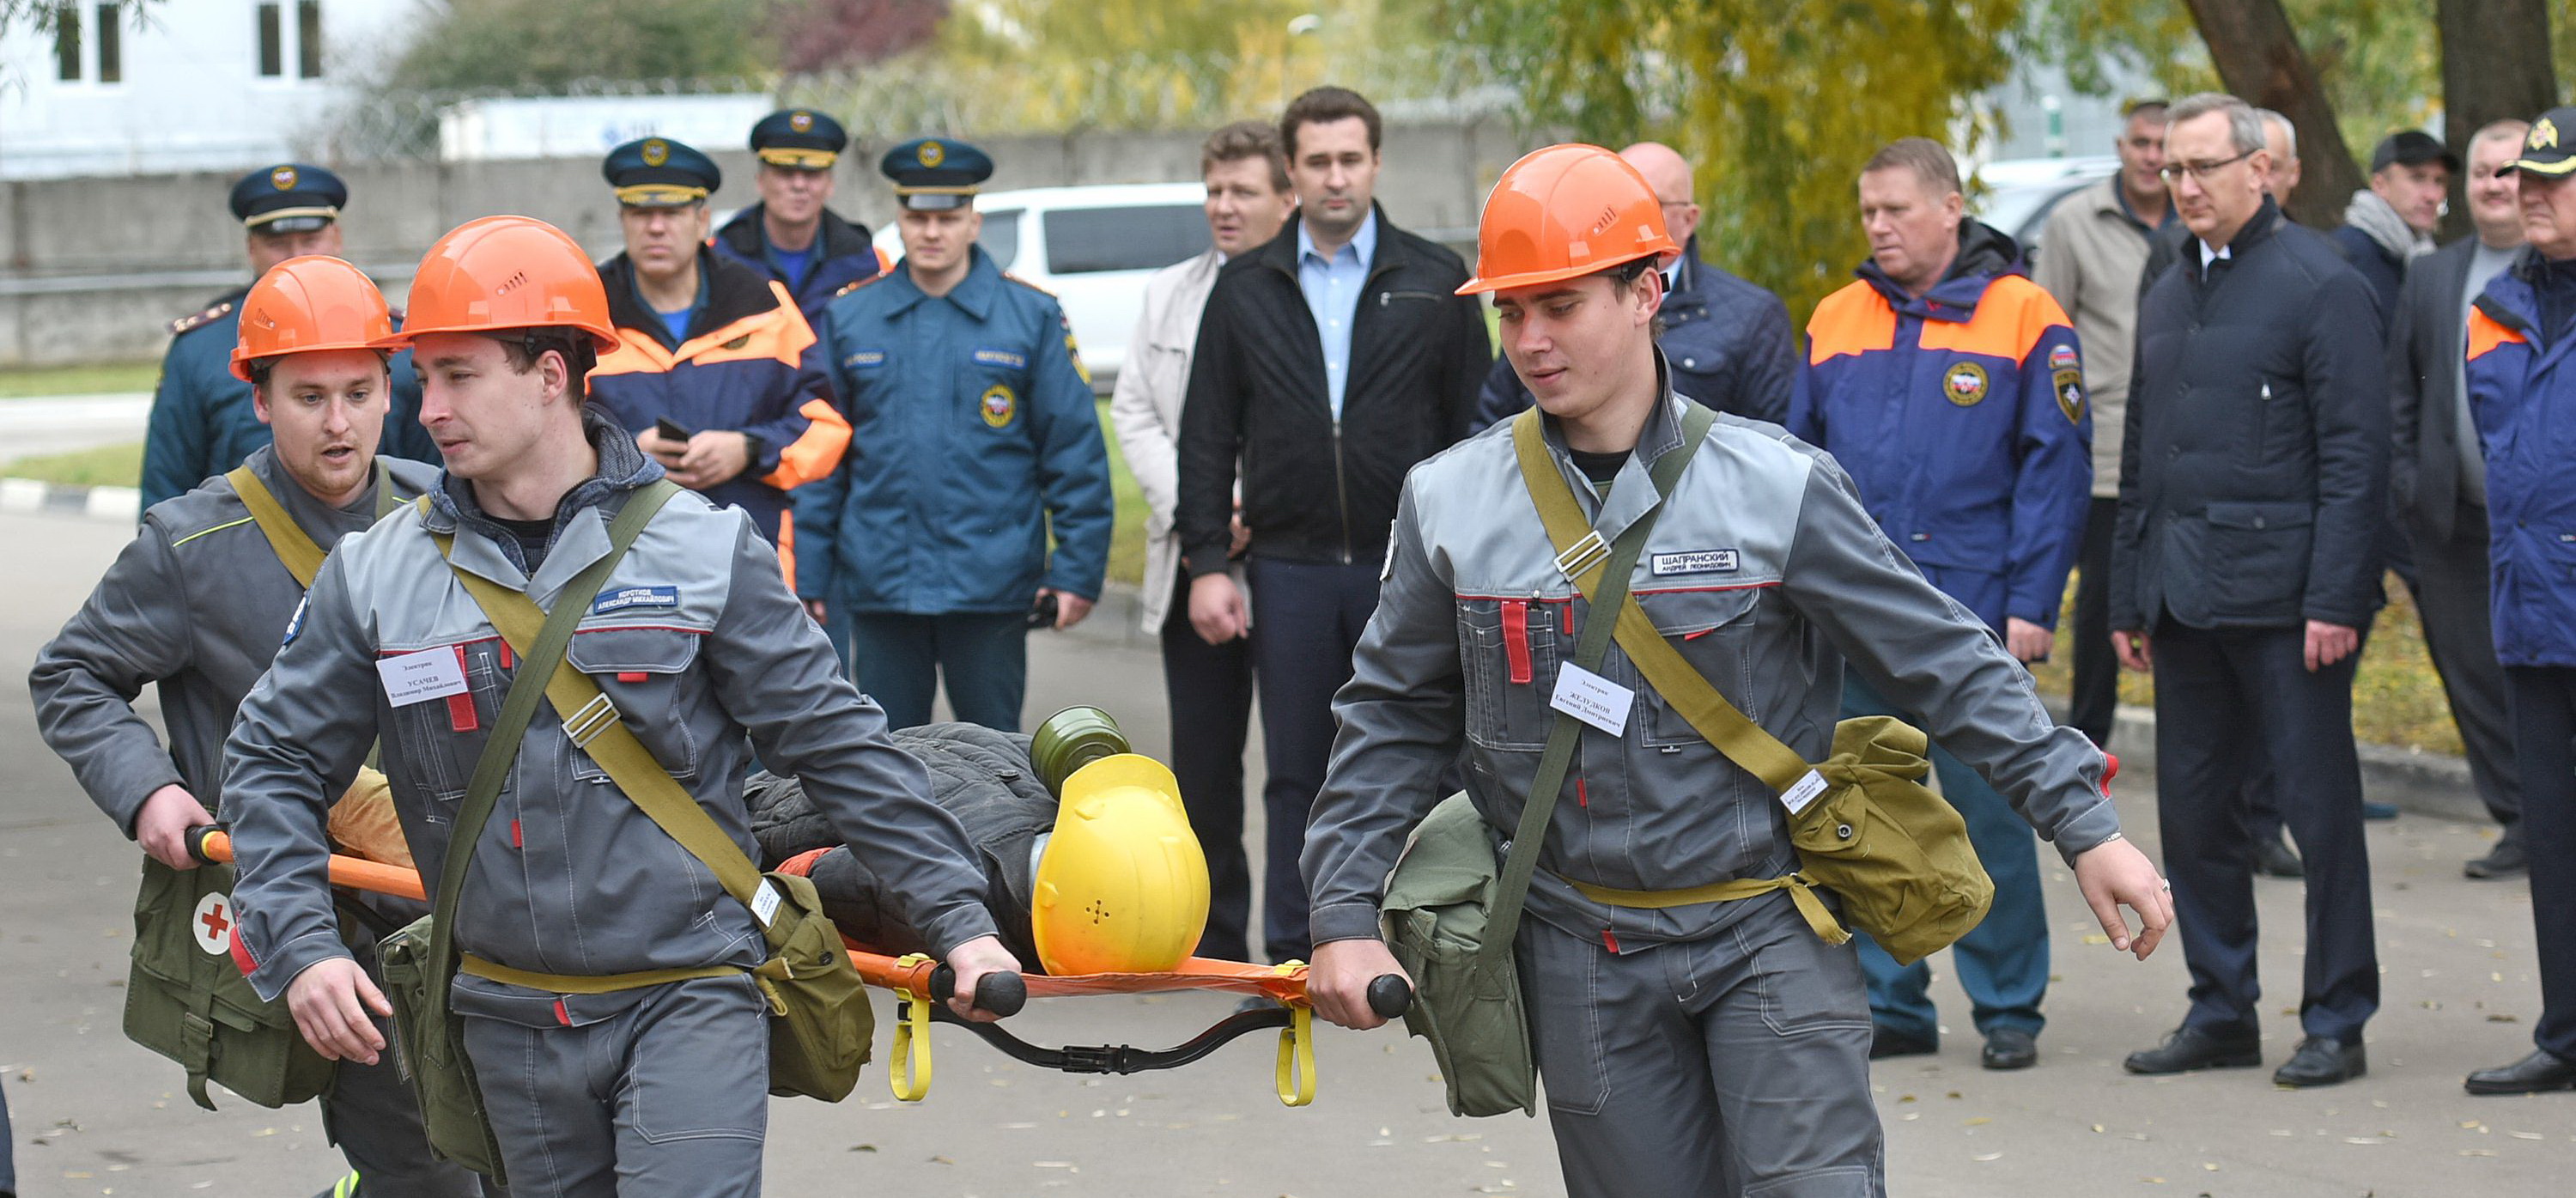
{"x": 1331, "y": 362}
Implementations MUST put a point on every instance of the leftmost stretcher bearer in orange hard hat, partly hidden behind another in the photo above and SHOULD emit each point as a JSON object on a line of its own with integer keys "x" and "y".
{"x": 197, "y": 607}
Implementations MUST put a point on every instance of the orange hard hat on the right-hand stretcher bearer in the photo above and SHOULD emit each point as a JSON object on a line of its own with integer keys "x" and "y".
{"x": 1565, "y": 213}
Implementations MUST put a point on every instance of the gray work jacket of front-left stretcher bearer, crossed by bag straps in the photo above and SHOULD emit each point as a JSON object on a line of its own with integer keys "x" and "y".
{"x": 705, "y": 653}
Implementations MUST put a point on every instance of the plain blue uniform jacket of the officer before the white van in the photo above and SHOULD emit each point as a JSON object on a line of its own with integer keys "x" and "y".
{"x": 972, "y": 437}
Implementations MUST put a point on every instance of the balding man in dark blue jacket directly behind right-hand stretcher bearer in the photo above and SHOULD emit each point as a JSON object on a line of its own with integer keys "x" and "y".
{"x": 1725, "y": 341}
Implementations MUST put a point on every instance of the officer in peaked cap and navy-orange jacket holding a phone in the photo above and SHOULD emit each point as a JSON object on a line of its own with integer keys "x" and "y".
{"x": 710, "y": 347}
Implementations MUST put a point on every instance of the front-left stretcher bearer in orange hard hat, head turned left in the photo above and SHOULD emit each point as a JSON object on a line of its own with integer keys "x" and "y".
{"x": 604, "y": 996}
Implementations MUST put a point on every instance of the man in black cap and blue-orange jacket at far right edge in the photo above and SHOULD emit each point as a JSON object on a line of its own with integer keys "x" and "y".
{"x": 2521, "y": 390}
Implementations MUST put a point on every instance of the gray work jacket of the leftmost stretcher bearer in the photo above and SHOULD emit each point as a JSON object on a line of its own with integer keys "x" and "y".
{"x": 194, "y": 604}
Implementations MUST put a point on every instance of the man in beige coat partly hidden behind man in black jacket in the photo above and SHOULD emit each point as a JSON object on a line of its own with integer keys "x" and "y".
{"x": 1209, "y": 684}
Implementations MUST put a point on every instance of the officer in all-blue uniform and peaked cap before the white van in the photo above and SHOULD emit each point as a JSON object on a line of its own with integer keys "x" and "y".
{"x": 975, "y": 439}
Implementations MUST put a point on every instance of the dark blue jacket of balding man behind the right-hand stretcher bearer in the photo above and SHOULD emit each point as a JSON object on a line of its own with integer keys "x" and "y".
{"x": 1730, "y": 347}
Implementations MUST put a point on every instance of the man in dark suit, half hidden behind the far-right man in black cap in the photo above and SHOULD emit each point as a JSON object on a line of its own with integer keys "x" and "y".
{"x": 2441, "y": 480}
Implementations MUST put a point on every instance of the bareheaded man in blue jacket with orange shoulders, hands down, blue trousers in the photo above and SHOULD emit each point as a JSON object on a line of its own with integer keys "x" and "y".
{"x": 1949, "y": 385}
